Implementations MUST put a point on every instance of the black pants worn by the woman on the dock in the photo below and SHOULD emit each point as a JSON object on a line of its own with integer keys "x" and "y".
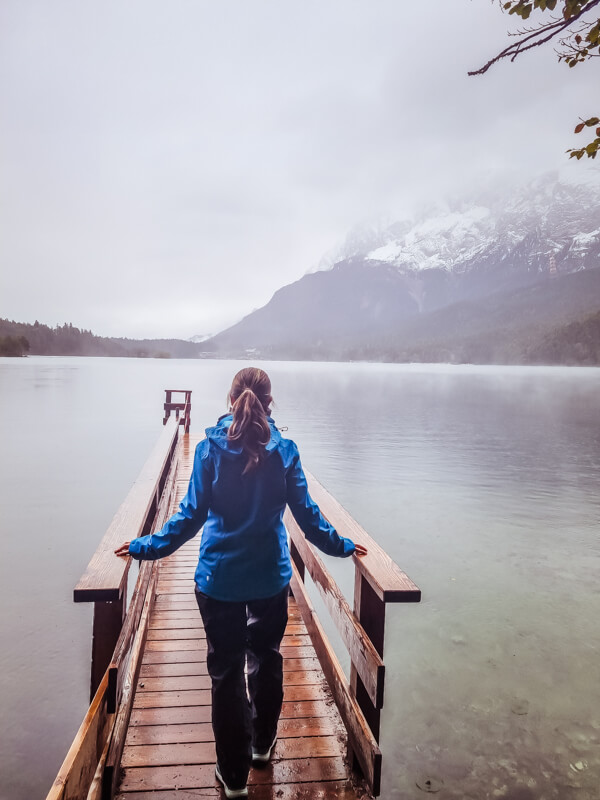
{"x": 236, "y": 632}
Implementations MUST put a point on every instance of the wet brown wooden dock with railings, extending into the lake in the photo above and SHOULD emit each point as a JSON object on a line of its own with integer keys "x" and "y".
{"x": 148, "y": 736}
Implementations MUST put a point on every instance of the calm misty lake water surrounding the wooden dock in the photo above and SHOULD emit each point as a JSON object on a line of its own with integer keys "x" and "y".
{"x": 482, "y": 483}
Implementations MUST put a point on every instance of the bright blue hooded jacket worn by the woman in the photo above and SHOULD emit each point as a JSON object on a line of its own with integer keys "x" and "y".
{"x": 244, "y": 551}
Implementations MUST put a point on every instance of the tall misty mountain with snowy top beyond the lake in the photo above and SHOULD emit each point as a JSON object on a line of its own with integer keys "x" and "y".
{"x": 391, "y": 282}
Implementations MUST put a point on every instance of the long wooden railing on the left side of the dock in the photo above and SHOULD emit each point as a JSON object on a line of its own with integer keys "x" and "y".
{"x": 90, "y": 769}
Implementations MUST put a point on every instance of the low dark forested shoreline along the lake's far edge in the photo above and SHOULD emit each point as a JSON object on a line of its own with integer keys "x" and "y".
{"x": 576, "y": 343}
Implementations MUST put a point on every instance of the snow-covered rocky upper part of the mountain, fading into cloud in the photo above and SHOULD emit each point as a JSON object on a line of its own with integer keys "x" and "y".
{"x": 547, "y": 216}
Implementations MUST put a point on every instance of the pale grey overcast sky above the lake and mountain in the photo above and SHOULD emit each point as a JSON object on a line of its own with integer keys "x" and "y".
{"x": 165, "y": 167}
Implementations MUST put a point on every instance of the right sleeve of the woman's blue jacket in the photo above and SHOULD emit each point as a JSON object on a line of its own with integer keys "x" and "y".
{"x": 307, "y": 514}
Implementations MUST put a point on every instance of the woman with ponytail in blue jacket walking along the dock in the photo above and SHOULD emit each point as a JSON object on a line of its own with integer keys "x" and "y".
{"x": 243, "y": 476}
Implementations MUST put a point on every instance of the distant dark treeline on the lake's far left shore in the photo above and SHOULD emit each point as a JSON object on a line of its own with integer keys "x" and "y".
{"x": 67, "y": 340}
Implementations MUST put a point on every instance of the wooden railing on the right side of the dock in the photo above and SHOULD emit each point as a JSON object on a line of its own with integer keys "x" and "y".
{"x": 378, "y": 580}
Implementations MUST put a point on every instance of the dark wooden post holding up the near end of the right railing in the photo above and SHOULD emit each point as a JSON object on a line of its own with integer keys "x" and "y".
{"x": 369, "y": 608}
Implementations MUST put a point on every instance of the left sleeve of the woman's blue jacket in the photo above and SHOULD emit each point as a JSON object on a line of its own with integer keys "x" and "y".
{"x": 185, "y": 523}
